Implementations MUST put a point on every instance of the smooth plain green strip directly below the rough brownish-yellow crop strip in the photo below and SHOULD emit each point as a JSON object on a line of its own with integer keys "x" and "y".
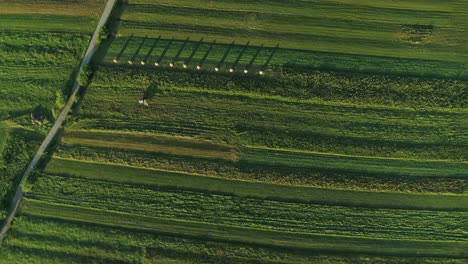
{"x": 125, "y": 174}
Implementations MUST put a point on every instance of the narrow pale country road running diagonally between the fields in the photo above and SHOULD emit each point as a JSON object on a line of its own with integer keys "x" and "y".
{"x": 58, "y": 122}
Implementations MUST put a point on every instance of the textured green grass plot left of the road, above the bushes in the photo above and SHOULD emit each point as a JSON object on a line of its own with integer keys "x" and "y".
{"x": 35, "y": 69}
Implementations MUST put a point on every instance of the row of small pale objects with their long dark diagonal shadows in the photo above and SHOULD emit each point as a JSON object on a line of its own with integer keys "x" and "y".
{"x": 186, "y": 63}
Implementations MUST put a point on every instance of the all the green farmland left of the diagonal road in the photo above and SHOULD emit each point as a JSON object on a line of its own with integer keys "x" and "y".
{"x": 41, "y": 44}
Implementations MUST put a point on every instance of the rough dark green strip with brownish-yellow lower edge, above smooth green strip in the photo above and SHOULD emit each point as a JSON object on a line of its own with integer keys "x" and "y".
{"x": 262, "y": 173}
